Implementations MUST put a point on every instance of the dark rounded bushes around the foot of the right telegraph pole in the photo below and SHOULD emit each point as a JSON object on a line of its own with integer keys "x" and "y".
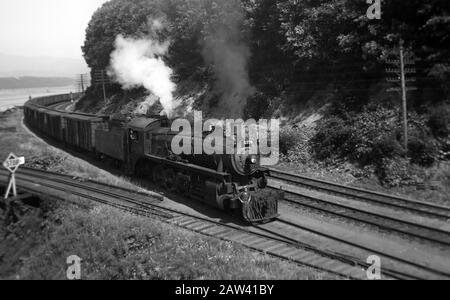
{"x": 373, "y": 136}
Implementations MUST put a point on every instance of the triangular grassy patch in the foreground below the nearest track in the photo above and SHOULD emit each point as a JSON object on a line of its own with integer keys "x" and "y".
{"x": 115, "y": 245}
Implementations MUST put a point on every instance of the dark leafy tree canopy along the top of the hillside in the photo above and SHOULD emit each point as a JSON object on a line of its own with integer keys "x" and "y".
{"x": 292, "y": 42}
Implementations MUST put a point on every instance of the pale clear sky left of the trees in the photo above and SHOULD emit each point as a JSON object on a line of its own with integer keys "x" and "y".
{"x": 50, "y": 28}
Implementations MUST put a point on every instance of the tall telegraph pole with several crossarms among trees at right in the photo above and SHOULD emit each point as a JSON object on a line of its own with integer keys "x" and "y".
{"x": 401, "y": 70}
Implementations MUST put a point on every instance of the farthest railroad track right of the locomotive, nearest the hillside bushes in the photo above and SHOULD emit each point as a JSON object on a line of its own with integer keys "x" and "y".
{"x": 414, "y": 206}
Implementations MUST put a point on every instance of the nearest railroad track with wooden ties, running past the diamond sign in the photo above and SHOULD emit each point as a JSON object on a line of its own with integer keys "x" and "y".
{"x": 273, "y": 243}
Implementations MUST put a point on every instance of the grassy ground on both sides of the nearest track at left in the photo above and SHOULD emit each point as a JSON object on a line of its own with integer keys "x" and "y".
{"x": 37, "y": 246}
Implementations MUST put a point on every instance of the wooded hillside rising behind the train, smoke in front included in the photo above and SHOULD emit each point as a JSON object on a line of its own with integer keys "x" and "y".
{"x": 318, "y": 66}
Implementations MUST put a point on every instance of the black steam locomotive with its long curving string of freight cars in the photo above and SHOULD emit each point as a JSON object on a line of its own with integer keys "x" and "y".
{"x": 141, "y": 146}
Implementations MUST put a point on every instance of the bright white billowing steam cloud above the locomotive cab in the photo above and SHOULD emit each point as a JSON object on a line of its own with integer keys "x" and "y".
{"x": 138, "y": 63}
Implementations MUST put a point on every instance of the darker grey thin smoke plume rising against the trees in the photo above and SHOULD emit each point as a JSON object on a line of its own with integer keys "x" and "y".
{"x": 229, "y": 55}
